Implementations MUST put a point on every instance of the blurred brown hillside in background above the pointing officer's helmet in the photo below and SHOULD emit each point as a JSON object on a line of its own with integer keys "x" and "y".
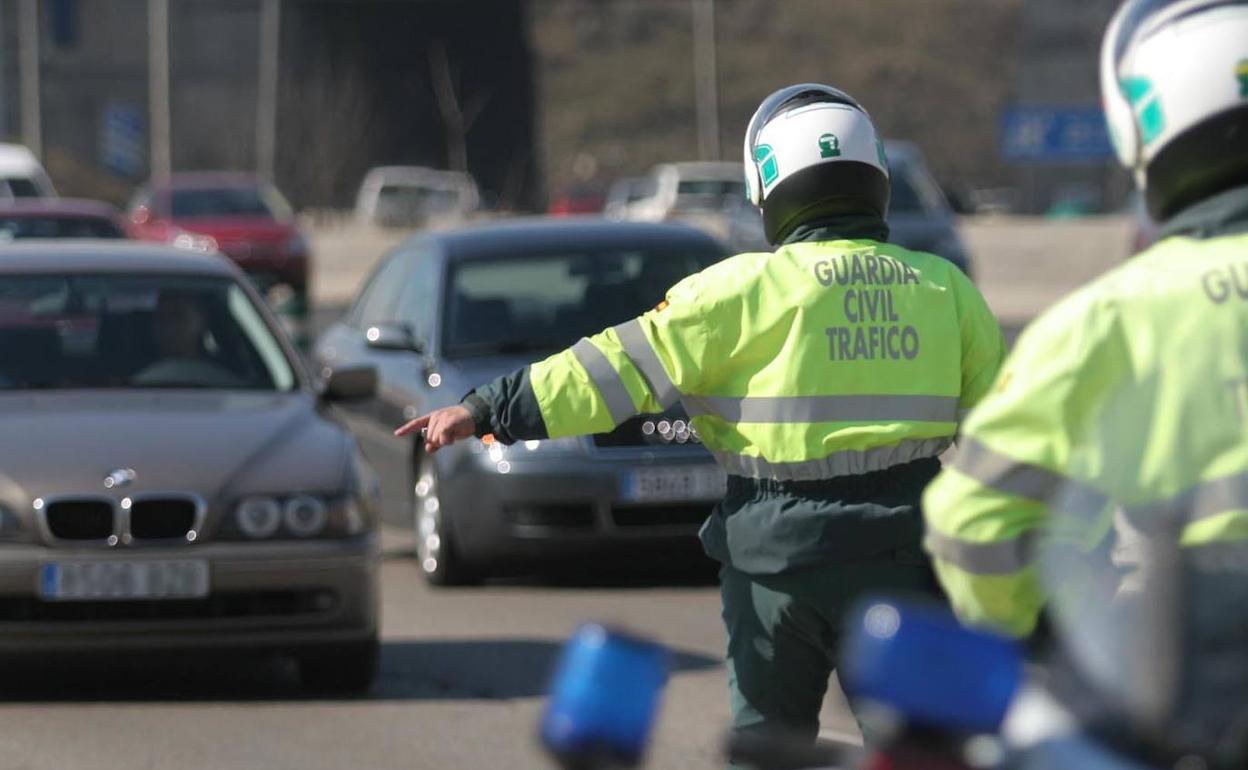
{"x": 617, "y": 79}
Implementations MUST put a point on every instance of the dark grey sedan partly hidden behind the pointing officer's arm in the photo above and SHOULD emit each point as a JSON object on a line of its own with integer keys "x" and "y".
{"x": 447, "y": 313}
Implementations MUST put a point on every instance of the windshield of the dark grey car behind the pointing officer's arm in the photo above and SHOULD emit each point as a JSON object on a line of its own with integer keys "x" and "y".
{"x": 548, "y": 301}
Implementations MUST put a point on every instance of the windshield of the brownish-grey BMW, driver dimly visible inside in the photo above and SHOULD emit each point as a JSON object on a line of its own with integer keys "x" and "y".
{"x": 135, "y": 331}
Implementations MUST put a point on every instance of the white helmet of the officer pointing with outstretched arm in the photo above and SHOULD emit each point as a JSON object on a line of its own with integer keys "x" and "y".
{"x": 812, "y": 153}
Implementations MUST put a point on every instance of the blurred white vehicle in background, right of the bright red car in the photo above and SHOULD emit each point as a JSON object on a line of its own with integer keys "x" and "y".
{"x": 414, "y": 197}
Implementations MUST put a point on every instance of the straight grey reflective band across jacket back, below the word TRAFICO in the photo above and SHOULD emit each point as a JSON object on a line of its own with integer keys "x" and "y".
{"x": 824, "y": 409}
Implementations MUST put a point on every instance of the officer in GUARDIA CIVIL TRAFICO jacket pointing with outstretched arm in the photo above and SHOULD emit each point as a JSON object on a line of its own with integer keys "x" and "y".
{"x": 826, "y": 378}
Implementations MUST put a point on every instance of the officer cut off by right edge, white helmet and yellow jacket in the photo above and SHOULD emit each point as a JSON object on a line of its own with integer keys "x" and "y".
{"x": 1133, "y": 394}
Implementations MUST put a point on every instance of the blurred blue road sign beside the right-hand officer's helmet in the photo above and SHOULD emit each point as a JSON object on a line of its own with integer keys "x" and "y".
{"x": 1046, "y": 134}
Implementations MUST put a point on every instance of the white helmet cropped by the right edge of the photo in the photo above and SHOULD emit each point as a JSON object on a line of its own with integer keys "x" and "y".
{"x": 1175, "y": 82}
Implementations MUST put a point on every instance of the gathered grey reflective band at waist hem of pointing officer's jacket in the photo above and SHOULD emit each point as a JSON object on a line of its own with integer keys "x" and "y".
{"x": 849, "y": 462}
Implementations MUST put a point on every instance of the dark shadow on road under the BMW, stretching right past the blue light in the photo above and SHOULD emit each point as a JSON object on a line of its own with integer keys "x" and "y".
{"x": 452, "y": 670}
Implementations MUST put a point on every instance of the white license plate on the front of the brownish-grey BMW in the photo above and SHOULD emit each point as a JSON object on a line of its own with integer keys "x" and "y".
{"x": 110, "y": 581}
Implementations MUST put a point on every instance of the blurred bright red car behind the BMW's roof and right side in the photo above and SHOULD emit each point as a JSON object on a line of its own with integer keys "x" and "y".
{"x": 240, "y": 215}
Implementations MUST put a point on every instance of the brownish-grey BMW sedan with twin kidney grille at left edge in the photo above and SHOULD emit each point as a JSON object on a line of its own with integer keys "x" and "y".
{"x": 170, "y": 477}
